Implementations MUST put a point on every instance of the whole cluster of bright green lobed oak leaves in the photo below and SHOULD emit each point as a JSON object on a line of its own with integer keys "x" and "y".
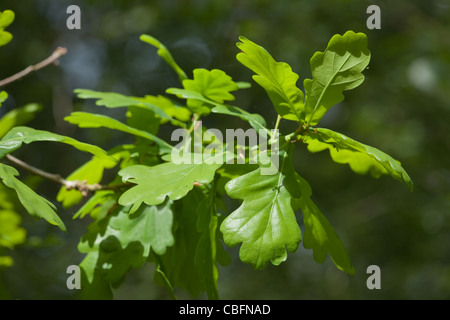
{"x": 167, "y": 213}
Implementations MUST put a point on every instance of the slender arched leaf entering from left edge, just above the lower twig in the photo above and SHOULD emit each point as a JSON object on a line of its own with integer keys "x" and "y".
{"x": 18, "y": 135}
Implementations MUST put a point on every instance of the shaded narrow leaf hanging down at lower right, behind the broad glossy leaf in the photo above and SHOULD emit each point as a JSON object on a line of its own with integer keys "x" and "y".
{"x": 319, "y": 235}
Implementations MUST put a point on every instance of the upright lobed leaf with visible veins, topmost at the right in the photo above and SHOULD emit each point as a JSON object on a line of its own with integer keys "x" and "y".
{"x": 334, "y": 71}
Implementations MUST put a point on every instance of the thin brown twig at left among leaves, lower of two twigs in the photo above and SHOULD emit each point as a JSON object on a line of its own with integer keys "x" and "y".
{"x": 81, "y": 186}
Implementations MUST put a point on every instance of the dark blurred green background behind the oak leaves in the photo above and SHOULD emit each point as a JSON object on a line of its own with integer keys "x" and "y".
{"x": 402, "y": 108}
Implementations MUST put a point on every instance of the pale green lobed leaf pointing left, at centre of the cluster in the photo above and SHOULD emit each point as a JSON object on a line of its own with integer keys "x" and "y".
{"x": 154, "y": 184}
